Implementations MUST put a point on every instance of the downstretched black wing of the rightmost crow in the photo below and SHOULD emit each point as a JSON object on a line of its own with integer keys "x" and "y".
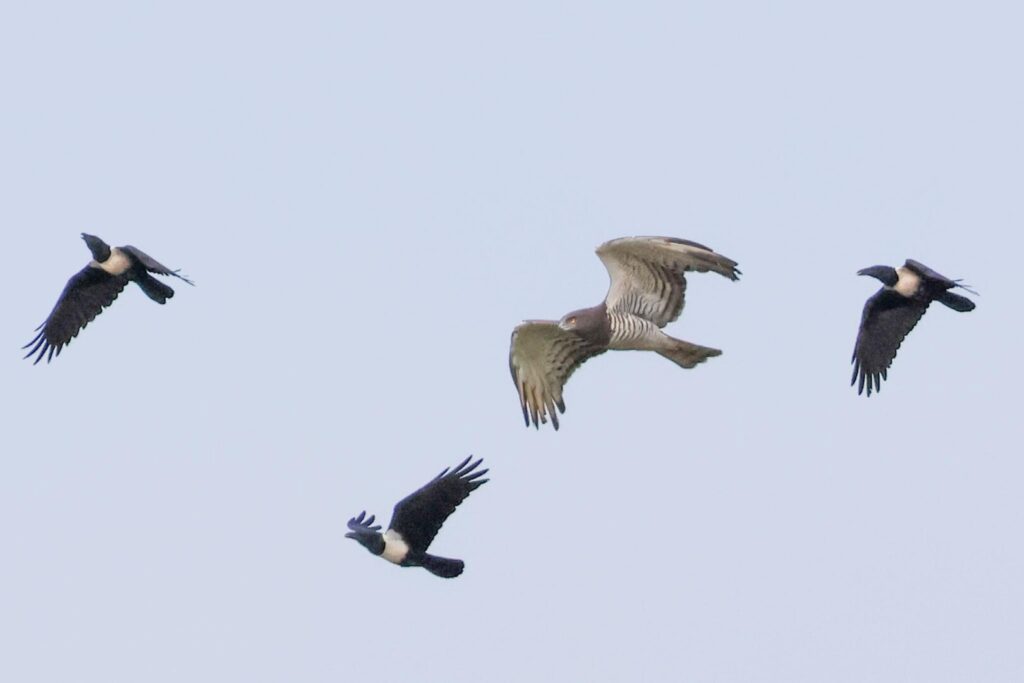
{"x": 887, "y": 320}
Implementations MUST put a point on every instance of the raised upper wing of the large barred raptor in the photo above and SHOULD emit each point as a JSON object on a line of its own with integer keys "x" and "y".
{"x": 648, "y": 275}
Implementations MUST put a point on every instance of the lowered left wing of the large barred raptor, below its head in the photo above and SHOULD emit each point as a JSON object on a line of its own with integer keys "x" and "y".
{"x": 542, "y": 358}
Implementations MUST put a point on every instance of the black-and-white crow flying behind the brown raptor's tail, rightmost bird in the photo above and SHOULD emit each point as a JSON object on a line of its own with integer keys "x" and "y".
{"x": 891, "y": 314}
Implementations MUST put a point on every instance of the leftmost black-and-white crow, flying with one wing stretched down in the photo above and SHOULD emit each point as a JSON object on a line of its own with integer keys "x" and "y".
{"x": 96, "y": 287}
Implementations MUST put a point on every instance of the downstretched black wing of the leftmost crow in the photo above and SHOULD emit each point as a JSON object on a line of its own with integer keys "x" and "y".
{"x": 86, "y": 296}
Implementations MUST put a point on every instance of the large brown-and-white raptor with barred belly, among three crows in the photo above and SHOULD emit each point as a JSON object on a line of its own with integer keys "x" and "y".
{"x": 649, "y": 285}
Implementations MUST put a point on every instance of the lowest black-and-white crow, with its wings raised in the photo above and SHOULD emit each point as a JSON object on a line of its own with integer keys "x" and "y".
{"x": 416, "y": 521}
